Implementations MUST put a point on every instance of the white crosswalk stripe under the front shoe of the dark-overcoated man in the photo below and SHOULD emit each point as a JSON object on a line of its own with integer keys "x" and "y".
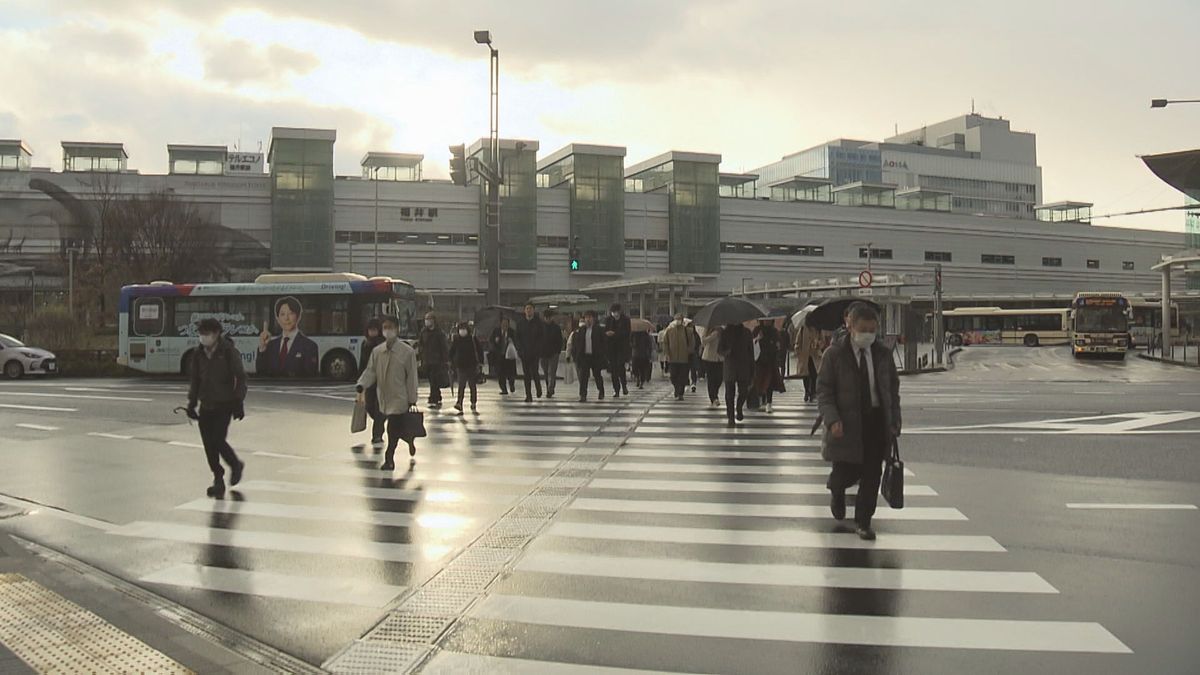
{"x": 783, "y": 539}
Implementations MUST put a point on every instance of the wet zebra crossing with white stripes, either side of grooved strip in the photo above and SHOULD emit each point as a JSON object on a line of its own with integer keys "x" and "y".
{"x": 689, "y": 548}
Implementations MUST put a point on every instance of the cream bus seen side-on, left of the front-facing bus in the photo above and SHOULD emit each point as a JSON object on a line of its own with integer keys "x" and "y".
{"x": 997, "y": 326}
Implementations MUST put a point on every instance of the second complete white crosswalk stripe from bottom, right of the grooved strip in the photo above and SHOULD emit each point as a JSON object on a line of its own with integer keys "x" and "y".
{"x": 874, "y": 578}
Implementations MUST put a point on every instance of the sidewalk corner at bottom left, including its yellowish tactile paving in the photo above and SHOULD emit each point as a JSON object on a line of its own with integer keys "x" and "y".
{"x": 55, "y": 619}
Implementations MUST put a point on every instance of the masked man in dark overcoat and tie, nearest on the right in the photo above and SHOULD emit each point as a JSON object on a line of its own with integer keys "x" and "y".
{"x": 859, "y": 396}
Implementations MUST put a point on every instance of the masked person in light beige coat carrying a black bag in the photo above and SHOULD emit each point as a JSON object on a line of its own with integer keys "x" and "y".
{"x": 393, "y": 372}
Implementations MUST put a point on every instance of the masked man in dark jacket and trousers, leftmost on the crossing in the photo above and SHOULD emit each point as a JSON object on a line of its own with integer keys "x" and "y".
{"x": 219, "y": 386}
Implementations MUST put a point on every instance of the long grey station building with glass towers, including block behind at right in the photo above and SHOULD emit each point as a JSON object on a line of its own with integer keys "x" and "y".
{"x": 651, "y": 232}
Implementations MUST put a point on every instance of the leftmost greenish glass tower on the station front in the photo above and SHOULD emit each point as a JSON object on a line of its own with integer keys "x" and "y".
{"x": 303, "y": 202}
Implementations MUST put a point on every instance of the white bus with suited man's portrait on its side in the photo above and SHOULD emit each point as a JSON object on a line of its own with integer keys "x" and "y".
{"x": 284, "y": 325}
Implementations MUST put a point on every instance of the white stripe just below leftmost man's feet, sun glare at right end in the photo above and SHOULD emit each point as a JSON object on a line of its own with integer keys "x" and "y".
{"x": 425, "y": 521}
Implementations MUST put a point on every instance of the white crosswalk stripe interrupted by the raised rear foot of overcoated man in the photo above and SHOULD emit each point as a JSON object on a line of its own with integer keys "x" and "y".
{"x": 755, "y": 511}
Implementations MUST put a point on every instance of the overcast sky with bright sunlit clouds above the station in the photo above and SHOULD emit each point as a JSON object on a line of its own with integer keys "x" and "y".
{"x": 752, "y": 80}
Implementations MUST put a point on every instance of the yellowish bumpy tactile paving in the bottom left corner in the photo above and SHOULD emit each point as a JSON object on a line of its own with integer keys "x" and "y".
{"x": 53, "y": 635}
